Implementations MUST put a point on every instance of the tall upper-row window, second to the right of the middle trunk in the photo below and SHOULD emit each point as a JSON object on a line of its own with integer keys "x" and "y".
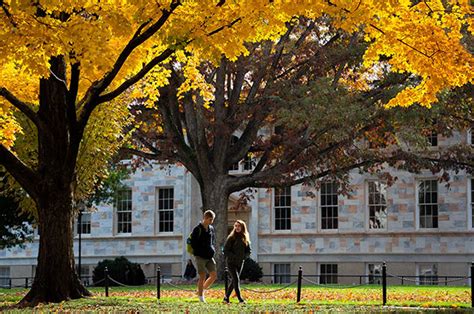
{"x": 329, "y": 206}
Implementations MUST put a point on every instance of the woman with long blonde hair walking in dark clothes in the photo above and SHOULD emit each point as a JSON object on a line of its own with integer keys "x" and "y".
{"x": 236, "y": 250}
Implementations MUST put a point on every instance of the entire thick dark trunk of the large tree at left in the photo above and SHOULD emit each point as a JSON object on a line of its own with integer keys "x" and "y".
{"x": 55, "y": 279}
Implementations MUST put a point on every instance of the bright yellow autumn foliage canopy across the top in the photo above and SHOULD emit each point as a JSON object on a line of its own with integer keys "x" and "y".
{"x": 422, "y": 39}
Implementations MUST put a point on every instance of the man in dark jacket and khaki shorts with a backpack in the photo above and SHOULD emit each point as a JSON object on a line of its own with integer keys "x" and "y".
{"x": 202, "y": 242}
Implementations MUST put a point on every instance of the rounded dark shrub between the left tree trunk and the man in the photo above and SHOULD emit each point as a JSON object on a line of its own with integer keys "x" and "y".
{"x": 121, "y": 270}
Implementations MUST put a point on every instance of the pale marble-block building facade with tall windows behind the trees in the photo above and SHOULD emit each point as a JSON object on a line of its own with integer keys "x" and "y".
{"x": 422, "y": 228}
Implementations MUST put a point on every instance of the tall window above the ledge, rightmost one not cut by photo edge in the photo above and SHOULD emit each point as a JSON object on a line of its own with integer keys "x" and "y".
{"x": 428, "y": 203}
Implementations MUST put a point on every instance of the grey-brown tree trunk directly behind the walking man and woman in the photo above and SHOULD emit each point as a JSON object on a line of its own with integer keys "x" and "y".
{"x": 216, "y": 197}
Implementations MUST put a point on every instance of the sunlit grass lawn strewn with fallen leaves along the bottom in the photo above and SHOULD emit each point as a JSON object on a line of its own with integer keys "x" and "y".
{"x": 314, "y": 299}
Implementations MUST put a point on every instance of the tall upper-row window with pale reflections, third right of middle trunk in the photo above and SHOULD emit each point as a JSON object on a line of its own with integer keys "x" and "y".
{"x": 377, "y": 205}
